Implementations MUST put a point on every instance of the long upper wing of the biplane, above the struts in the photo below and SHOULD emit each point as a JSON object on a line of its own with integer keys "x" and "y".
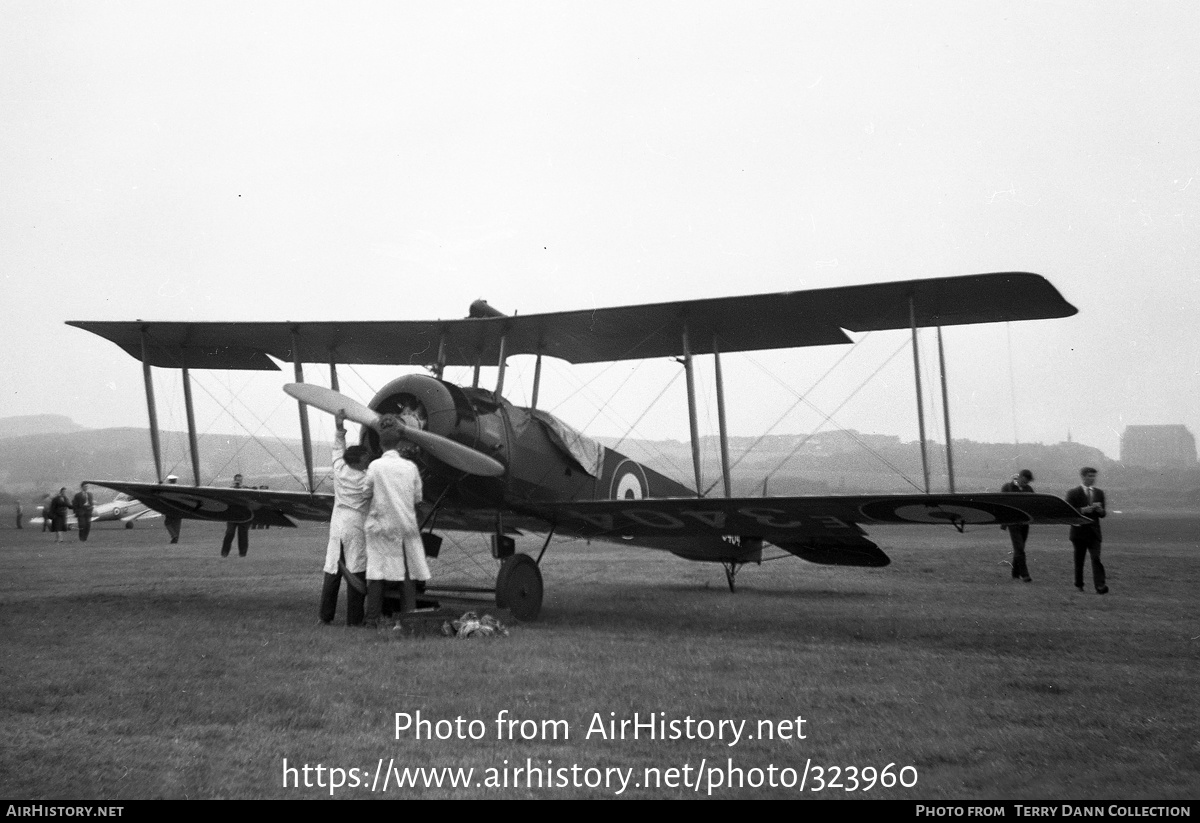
{"x": 788, "y": 320}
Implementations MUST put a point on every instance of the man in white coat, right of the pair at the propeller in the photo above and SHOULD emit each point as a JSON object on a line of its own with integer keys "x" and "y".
{"x": 394, "y": 536}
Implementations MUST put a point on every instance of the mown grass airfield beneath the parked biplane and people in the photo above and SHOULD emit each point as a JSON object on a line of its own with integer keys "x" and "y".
{"x": 137, "y": 670}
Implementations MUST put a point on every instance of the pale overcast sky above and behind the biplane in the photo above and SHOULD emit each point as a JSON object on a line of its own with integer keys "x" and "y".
{"x": 399, "y": 160}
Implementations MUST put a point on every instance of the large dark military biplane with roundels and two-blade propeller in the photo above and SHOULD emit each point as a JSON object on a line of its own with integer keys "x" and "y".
{"x": 493, "y": 467}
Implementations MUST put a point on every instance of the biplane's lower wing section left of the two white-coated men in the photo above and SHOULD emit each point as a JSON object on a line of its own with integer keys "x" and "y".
{"x": 239, "y": 506}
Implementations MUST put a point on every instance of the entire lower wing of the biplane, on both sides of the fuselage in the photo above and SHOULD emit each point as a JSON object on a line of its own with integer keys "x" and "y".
{"x": 819, "y": 530}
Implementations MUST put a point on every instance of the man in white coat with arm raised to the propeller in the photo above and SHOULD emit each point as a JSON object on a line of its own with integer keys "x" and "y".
{"x": 347, "y": 540}
